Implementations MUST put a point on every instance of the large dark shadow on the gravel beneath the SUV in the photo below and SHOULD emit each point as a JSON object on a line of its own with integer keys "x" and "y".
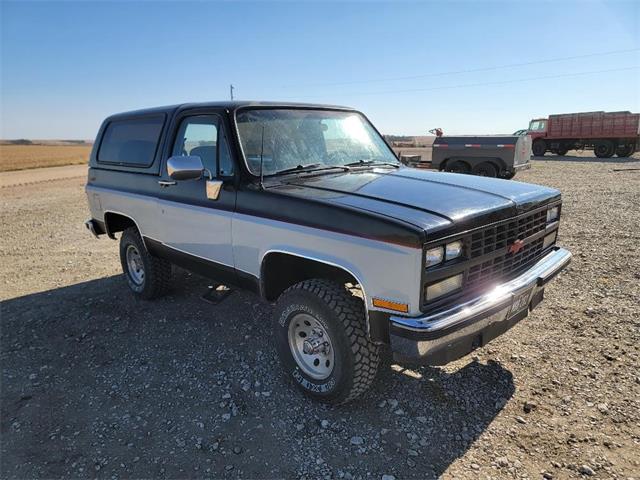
{"x": 96, "y": 382}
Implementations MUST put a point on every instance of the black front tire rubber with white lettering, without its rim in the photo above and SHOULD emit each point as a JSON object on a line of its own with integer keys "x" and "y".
{"x": 342, "y": 315}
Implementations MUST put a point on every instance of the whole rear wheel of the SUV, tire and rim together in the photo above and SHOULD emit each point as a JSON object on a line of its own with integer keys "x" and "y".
{"x": 147, "y": 276}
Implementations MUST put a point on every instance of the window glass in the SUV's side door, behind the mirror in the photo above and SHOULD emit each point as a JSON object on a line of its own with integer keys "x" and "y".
{"x": 201, "y": 136}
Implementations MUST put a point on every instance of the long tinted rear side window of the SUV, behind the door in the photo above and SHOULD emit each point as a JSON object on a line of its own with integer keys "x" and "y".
{"x": 132, "y": 141}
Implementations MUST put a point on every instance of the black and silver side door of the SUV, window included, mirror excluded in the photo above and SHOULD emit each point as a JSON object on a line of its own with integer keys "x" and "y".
{"x": 196, "y": 226}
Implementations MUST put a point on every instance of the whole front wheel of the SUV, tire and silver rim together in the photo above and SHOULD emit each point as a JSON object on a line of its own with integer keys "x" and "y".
{"x": 322, "y": 342}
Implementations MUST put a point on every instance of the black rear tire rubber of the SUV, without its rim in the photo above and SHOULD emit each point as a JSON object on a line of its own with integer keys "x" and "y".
{"x": 157, "y": 271}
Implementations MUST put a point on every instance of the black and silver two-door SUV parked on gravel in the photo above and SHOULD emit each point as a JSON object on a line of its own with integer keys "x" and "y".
{"x": 308, "y": 206}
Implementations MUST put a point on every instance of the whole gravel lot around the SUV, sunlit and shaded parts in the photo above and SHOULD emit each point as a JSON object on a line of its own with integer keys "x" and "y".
{"x": 97, "y": 384}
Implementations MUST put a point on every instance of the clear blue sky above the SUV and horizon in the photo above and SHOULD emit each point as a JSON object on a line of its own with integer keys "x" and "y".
{"x": 67, "y": 65}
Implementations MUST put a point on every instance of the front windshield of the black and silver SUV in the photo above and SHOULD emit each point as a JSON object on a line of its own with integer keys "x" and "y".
{"x": 289, "y": 139}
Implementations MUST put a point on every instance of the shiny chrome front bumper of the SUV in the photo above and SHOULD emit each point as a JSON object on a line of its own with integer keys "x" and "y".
{"x": 445, "y": 335}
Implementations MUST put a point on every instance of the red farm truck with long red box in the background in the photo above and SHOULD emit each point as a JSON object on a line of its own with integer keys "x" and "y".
{"x": 607, "y": 133}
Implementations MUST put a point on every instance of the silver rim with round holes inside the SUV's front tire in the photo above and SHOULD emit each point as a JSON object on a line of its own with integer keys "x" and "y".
{"x": 311, "y": 346}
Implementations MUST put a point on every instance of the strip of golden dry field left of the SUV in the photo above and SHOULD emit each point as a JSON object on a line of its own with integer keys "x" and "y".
{"x": 18, "y": 157}
